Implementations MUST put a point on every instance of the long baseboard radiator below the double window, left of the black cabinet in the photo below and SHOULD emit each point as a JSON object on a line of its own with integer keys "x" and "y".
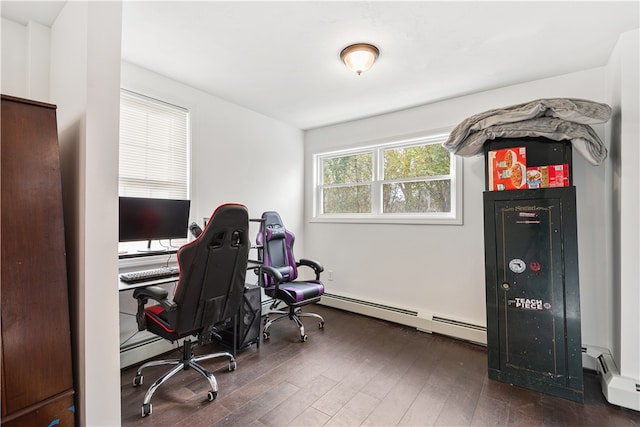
{"x": 426, "y": 322}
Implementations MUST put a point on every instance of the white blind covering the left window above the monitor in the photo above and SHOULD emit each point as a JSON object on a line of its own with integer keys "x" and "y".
{"x": 154, "y": 148}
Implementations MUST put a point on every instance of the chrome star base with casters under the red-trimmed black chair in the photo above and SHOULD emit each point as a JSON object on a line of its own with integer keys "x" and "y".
{"x": 188, "y": 361}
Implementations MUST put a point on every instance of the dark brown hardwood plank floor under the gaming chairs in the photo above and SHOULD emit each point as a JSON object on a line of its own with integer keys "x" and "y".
{"x": 358, "y": 371}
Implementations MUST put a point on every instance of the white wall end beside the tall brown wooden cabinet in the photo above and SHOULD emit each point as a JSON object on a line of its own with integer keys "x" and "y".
{"x": 85, "y": 79}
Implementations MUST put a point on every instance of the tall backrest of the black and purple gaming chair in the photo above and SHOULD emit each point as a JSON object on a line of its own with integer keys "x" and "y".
{"x": 277, "y": 243}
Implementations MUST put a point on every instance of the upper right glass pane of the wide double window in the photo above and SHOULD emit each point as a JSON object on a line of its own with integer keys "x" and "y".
{"x": 416, "y": 162}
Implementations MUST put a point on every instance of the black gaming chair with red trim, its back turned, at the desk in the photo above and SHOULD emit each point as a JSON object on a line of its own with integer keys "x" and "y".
{"x": 209, "y": 292}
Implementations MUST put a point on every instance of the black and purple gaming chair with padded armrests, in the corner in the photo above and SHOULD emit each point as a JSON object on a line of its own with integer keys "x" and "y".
{"x": 279, "y": 271}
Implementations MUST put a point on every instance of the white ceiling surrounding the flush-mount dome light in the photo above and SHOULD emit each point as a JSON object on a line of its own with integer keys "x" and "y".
{"x": 281, "y": 58}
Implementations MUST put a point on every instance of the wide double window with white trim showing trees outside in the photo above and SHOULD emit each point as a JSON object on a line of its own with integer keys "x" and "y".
{"x": 409, "y": 181}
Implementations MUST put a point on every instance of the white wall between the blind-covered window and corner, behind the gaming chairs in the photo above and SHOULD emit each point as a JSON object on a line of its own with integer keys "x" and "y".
{"x": 237, "y": 155}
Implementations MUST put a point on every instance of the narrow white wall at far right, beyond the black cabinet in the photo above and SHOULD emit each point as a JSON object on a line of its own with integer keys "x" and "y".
{"x": 624, "y": 187}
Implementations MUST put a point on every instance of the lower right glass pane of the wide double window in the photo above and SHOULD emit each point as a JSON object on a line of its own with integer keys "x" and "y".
{"x": 417, "y": 196}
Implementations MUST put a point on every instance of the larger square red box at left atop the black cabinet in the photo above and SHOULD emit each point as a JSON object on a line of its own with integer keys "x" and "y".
{"x": 507, "y": 169}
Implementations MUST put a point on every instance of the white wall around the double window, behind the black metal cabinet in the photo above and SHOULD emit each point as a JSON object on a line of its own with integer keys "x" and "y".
{"x": 439, "y": 270}
